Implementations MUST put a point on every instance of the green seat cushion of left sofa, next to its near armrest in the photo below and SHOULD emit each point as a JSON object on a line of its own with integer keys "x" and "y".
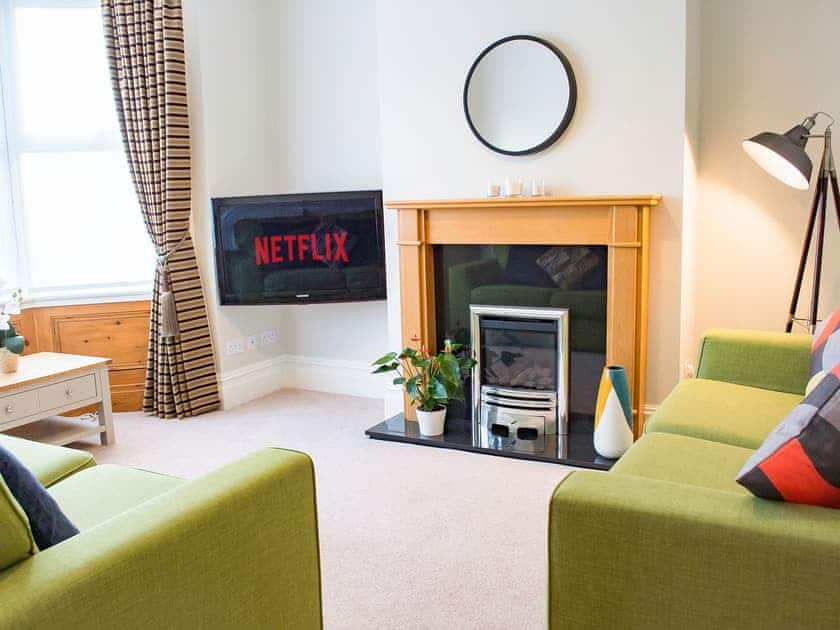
{"x": 97, "y": 494}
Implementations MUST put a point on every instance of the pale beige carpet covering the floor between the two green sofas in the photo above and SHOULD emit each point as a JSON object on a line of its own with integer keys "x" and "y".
{"x": 411, "y": 536}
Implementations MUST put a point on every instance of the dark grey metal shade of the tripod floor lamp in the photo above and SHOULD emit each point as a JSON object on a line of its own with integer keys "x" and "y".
{"x": 783, "y": 156}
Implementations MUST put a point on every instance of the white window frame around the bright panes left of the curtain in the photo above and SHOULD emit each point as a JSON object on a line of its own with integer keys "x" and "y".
{"x": 9, "y": 162}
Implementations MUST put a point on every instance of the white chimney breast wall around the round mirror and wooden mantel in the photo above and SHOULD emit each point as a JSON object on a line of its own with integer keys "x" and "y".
{"x": 626, "y": 137}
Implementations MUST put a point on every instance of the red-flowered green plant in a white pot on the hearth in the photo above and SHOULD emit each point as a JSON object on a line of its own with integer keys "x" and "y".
{"x": 430, "y": 381}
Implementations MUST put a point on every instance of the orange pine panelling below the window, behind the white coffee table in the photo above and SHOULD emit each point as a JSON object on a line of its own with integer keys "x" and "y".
{"x": 119, "y": 330}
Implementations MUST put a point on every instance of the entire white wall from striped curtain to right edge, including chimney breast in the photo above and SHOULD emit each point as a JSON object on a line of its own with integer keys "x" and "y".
{"x": 284, "y": 98}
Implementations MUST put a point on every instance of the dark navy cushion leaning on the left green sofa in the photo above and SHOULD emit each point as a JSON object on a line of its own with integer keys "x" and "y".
{"x": 48, "y": 523}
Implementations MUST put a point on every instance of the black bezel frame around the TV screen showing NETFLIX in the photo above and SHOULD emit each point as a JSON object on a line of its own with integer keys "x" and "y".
{"x": 219, "y": 203}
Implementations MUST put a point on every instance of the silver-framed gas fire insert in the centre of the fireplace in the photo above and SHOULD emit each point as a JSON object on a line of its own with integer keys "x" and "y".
{"x": 520, "y": 380}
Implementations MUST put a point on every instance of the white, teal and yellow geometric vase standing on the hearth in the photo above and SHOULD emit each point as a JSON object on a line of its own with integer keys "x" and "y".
{"x": 613, "y": 414}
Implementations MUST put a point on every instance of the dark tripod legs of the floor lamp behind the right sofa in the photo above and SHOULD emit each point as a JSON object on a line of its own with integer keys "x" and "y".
{"x": 826, "y": 181}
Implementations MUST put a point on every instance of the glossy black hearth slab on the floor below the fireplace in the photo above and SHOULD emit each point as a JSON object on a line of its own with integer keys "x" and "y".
{"x": 574, "y": 449}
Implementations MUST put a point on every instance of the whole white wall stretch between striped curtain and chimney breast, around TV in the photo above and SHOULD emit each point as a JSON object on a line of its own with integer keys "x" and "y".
{"x": 283, "y": 98}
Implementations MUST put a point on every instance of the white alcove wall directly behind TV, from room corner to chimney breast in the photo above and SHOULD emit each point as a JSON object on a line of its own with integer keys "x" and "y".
{"x": 325, "y": 130}
